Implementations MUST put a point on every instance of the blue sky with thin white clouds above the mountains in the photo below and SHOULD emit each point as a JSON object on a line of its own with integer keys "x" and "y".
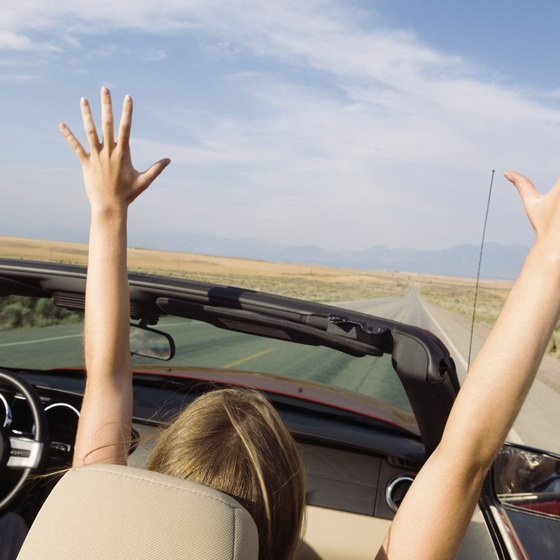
{"x": 343, "y": 124}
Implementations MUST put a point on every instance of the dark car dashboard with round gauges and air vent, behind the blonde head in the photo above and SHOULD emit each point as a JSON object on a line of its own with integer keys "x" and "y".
{"x": 349, "y": 464}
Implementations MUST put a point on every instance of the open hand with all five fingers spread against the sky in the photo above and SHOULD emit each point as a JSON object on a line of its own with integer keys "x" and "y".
{"x": 109, "y": 176}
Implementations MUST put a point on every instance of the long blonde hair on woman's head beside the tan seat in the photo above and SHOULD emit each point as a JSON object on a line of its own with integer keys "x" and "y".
{"x": 234, "y": 440}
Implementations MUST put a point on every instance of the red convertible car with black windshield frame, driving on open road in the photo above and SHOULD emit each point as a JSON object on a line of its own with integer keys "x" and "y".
{"x": 366, "y": 398}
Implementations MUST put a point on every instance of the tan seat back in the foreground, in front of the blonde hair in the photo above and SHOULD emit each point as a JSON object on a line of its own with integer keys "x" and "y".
{"x": 114, "y": 512}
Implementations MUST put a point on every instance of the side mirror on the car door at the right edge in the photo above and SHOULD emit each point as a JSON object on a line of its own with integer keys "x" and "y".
{"x": 529, "y": 479}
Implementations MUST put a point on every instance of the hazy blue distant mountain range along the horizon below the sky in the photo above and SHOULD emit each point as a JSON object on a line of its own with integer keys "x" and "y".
{"x": 499, "y": 261}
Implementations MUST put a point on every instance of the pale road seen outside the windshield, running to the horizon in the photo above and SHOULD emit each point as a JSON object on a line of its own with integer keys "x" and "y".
{"x": 538, "y": 423}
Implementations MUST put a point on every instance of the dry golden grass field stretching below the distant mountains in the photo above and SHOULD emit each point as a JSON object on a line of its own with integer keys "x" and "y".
{"x": 314, "y": 283}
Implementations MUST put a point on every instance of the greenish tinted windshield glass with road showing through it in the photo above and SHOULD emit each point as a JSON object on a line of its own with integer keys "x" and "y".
{"x": 35, "y": 334}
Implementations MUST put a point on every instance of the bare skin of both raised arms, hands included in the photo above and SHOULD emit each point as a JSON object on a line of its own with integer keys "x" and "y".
{"x": 435, "y": 514}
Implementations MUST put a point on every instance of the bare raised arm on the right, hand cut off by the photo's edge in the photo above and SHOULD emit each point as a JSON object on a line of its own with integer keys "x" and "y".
{"x": 434, "y": 516}
